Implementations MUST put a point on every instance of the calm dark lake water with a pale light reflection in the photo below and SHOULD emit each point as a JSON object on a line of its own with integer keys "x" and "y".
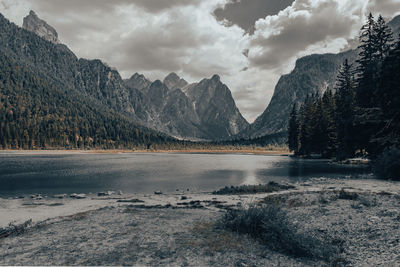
{"x": 144, "y": 173}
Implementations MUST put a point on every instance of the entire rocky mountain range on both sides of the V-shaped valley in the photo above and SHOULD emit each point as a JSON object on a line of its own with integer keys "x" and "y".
{"x": 204, "y": 110}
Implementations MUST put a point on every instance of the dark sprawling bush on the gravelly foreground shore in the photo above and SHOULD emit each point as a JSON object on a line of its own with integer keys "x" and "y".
{"x": 270, "y": 225}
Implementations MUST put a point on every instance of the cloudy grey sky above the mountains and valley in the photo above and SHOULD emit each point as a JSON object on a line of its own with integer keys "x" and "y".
{"x": 249, "y": 43}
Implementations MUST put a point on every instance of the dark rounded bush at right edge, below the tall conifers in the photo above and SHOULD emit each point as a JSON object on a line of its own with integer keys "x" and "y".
{"x": 387, "y": 165}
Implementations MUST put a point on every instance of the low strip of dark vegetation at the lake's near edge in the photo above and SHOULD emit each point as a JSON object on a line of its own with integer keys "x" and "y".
{"x": 253, "y": 189}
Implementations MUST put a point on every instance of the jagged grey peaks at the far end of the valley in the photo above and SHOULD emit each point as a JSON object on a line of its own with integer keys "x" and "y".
{"x": 200, "y": 111}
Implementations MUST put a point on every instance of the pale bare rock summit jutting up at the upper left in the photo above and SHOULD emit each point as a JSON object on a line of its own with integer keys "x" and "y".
{"x": 34, "y": 24}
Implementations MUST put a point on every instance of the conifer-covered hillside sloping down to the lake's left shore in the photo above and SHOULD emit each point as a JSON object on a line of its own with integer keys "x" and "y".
{"x": 35, "y": 113}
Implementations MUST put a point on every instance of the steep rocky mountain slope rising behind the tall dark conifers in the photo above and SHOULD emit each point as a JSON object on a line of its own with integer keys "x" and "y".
{"x": 312, "y": 74}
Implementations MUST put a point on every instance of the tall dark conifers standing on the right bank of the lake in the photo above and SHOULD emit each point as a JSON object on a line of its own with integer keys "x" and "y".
{"x": 360, "y": 116}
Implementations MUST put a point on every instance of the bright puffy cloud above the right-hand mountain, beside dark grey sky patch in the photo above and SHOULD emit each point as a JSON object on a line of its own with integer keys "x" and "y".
{"x": 296, "y": 29}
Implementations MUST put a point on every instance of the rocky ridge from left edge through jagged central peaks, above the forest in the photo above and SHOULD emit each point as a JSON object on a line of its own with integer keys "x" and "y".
{"x": 162, "y": 106}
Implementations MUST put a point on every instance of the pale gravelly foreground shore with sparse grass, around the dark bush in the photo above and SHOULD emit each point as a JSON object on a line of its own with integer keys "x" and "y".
{"x": 362, "y": 216}
